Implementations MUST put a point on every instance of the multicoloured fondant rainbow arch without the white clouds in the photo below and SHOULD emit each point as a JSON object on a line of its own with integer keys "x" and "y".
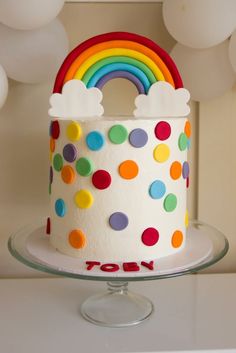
{"x": 118, "y": 54}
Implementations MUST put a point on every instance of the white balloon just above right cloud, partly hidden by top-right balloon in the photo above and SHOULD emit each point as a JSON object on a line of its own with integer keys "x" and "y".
{"x": 206, "y": 73}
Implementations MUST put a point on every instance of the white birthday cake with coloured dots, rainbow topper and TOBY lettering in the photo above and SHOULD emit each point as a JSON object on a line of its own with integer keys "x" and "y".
{"x": 118, "y": 185}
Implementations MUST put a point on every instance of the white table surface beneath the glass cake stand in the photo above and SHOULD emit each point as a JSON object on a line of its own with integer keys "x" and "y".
{"x": 195, "y": 312}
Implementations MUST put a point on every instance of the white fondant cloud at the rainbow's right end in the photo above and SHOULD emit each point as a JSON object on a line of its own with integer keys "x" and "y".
{"x": 162, "y": 100}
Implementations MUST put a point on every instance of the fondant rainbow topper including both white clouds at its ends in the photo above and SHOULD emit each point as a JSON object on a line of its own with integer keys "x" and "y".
{"x": 93, "y": 63}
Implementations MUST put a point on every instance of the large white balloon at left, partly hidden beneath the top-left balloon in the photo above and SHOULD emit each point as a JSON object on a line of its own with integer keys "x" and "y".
{"x": 33, "y": 56}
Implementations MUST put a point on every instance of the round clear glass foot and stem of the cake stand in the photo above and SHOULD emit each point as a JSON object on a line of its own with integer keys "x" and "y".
{"x": 117, "y": 307}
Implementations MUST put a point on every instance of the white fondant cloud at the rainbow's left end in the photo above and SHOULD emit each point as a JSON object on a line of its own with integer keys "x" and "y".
{"x": 76, "y": 101}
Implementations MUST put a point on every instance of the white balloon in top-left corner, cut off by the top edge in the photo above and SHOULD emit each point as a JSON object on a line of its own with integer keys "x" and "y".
{"x": 29, "y": 14}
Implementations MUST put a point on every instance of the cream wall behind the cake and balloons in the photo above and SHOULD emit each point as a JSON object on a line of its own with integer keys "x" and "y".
{"x": 24, "y": 136}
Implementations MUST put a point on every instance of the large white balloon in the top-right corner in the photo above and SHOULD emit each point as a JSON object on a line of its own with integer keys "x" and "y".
{"x": 200, "y": 23}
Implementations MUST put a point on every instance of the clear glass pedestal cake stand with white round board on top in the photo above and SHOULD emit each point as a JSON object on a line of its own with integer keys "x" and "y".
{"x": 117, "y": 306}
